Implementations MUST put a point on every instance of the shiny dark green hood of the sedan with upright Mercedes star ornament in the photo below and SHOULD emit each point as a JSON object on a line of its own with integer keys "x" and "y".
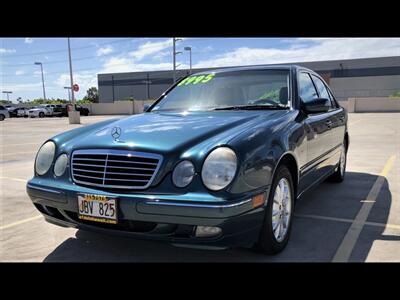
{"x": 168, "y": 132}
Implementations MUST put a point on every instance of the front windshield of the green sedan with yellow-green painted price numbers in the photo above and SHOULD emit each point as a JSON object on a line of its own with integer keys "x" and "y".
{"x": 259, "y": 88}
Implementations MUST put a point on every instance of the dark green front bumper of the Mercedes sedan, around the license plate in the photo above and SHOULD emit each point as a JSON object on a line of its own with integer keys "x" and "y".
{"x": 170, "y": 218}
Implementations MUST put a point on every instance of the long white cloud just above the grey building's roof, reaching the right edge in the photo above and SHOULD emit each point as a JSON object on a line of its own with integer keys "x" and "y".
{"x": 307, "y": 49}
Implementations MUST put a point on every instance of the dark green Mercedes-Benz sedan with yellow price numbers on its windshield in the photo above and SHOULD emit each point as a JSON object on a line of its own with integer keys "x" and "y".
{"x": 218, "y": 161}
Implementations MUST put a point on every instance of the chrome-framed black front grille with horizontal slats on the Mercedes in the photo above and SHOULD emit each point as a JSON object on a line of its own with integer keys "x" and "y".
{"x": 114, "y": 168}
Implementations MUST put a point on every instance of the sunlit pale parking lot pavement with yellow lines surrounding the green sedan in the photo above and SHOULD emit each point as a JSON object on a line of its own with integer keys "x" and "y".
{"x": 357, "y": 220}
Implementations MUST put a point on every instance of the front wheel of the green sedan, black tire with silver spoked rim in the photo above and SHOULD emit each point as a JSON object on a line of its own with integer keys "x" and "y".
{"x": 268, "y": 241}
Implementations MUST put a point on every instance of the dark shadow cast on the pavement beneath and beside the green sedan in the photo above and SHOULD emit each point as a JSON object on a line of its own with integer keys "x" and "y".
{"x": 311, "y": 239}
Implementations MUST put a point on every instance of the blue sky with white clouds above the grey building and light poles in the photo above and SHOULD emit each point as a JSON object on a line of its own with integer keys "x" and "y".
{"x": 91, "y": 56}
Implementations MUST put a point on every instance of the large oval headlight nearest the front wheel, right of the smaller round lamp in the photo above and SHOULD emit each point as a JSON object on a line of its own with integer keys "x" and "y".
{"x": 219, "y": 168}
